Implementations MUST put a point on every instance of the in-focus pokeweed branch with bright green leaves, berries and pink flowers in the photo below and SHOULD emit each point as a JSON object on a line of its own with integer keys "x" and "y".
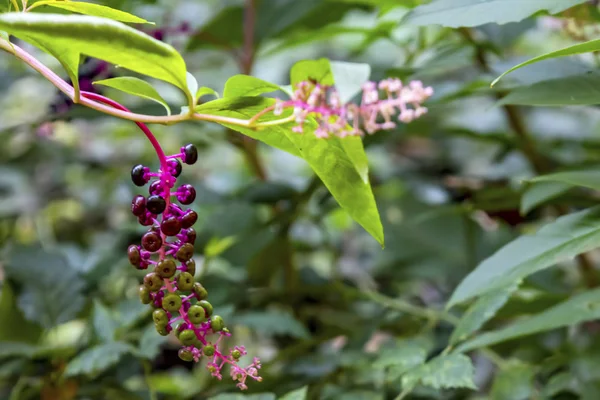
{"x": 315, "y": 108}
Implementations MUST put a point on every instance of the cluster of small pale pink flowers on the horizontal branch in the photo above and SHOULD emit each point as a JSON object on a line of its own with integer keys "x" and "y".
{"x": 374, "y": 113}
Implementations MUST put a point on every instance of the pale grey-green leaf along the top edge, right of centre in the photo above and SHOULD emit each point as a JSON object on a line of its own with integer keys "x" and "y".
{"x": 459, "y": 13}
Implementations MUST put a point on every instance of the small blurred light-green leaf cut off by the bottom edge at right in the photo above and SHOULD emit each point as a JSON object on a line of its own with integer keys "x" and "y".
{"x": 515, "y": 382}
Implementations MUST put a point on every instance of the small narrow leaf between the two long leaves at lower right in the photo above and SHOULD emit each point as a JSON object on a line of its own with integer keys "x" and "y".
{"x": 481, "y": 311}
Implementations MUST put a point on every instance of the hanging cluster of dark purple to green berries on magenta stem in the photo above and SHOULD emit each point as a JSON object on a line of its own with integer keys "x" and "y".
{"x": 179, "y": 303}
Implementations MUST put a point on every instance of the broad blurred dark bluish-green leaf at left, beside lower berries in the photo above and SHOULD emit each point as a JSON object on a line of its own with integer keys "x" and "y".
{"x": 55, "y": 296}
